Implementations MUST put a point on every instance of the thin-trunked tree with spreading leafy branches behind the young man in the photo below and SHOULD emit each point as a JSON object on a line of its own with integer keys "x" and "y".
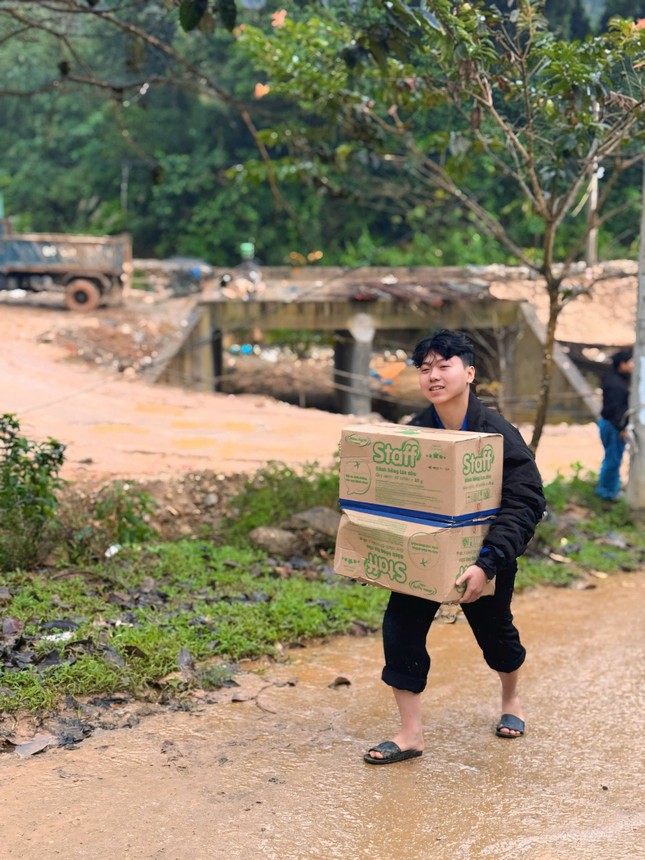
{"x": 545, "y": 114}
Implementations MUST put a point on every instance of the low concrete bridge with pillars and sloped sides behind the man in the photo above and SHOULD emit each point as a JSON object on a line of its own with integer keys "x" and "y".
{"x": 368, "y": 309}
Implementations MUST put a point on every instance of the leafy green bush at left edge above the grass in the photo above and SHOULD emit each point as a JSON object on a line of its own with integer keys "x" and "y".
{"x": 29, "y": 483}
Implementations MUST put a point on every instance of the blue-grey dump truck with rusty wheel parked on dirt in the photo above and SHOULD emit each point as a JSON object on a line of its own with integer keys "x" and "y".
{"x": 88, "y": 270}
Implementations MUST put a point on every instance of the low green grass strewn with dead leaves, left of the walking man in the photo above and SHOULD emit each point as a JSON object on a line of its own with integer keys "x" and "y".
{"x": 131, "y": 618}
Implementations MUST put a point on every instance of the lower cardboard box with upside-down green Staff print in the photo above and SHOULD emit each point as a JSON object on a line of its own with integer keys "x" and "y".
{"x": 407, "y": 556}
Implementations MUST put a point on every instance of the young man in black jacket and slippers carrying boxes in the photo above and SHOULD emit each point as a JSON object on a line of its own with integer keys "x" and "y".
{"x": 446, "y": 371}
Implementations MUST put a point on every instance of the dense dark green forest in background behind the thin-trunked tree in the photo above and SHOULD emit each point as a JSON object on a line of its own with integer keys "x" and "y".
{"x": 144, "y": 129}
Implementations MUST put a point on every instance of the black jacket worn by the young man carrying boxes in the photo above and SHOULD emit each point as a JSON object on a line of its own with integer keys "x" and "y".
{"x": 523, "y": 502}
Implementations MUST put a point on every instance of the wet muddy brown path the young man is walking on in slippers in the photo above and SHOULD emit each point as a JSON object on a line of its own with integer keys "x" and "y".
{"x": 281, "y": 776}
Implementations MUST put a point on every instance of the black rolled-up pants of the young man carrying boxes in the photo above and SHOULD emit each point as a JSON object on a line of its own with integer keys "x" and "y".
{"x": 407, "y": 621}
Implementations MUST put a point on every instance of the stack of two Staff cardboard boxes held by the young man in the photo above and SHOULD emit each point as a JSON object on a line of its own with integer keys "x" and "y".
{"x": 416, "y": 504}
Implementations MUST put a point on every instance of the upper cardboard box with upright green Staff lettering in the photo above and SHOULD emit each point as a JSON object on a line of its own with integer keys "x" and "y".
{"x": 437, "y": 472}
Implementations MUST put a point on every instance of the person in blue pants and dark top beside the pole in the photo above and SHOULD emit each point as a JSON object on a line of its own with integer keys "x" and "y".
{"x": 613, "y": 423}
